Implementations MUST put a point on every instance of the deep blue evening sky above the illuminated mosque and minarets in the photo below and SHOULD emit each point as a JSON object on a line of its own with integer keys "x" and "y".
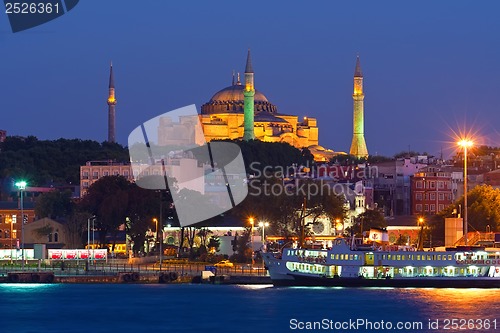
{"x": 430, "y": 67}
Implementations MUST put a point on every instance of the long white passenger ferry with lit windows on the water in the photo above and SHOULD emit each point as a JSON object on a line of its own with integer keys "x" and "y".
{"x": 346, "y": 265}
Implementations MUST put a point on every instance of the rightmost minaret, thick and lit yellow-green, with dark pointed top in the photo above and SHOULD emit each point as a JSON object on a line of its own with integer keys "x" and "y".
{"x": 358, "y": 145}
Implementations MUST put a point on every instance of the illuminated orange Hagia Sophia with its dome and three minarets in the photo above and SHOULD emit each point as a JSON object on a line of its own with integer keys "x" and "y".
{"x": 242, "y": 112}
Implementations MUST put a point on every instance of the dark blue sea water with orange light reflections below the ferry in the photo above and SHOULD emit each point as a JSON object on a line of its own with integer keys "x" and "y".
{"x": 40, "y": 308}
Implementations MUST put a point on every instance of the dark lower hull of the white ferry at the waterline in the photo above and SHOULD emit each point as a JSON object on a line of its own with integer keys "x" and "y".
{"x": 316, "y": 281}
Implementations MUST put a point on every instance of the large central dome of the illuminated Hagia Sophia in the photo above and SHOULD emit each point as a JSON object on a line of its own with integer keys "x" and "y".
{"x": 231, "y": 99}
